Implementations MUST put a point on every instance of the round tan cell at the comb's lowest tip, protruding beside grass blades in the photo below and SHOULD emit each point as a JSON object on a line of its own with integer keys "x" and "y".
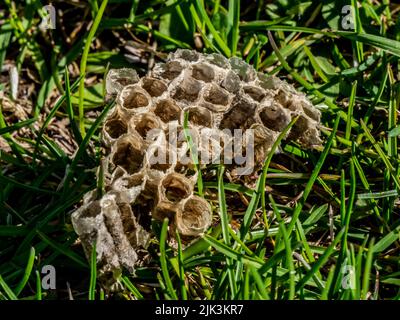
{"x": 195, "y": 217}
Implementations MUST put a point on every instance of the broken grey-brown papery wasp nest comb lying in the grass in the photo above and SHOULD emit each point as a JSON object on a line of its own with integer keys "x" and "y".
{"x": 194, "y": 106}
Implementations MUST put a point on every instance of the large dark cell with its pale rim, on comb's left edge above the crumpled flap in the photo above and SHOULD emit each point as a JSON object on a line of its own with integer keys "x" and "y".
{"x": 128, "y": 153}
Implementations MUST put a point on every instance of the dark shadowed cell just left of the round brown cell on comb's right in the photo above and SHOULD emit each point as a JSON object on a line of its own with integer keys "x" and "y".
{"x": 237, "y": 117}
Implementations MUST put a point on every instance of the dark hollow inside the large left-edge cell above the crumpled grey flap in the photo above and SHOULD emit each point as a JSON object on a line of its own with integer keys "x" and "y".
{"x": 129, "y": 156}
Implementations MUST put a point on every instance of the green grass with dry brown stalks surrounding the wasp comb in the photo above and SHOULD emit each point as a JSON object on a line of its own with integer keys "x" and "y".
{"x": 306, "y": 218}
